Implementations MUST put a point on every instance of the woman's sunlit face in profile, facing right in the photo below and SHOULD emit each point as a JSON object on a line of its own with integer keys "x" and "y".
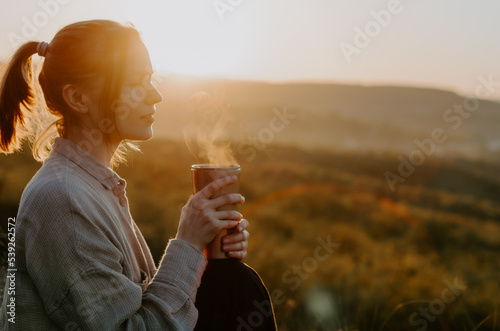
{"x": 134, "y": 112}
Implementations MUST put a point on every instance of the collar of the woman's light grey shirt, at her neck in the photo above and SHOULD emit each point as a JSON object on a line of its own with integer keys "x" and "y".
{"x": 105, "y": 175}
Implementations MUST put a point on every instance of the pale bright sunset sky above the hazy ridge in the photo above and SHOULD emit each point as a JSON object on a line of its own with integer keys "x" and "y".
{"x": 446, "y": 44}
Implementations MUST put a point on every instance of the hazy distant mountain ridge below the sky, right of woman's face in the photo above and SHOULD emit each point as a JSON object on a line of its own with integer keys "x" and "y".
{"x": 334, "y": 116}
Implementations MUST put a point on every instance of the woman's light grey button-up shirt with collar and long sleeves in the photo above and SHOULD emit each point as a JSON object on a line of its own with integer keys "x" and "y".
{"x": 83, "y": 264}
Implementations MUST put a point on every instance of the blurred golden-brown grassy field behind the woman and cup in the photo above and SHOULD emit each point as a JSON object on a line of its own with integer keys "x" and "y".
{"x": 337, "y": 249}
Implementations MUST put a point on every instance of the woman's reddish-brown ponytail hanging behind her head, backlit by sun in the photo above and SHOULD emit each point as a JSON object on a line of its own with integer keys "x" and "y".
{"x": 16, "y": 96}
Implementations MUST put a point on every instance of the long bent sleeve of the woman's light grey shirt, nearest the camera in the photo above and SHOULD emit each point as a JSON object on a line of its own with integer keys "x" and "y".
{"x": 76, "y": 266}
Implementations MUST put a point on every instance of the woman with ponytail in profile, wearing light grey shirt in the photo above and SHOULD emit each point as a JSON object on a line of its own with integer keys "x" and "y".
{"x": 81, "y": 262}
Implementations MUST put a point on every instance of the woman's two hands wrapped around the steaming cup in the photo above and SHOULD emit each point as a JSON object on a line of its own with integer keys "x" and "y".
{"x": 200, "y": 221}
